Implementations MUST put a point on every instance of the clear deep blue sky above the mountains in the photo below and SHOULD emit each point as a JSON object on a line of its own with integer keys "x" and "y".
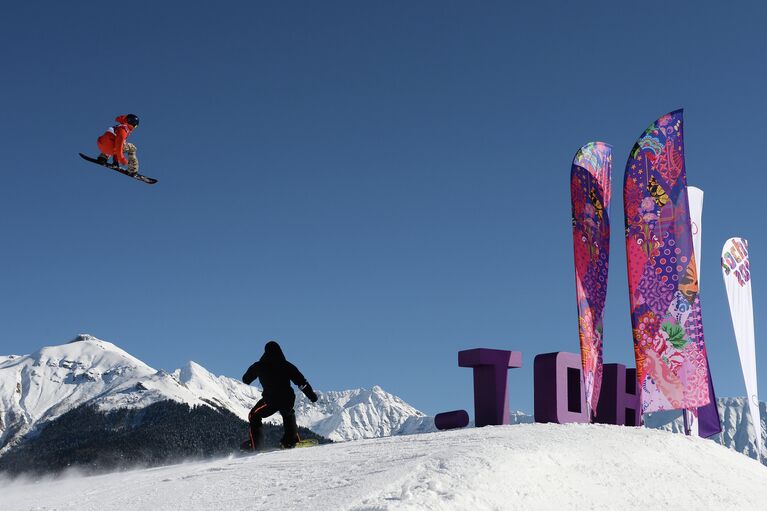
{"x": 376, "y": 185}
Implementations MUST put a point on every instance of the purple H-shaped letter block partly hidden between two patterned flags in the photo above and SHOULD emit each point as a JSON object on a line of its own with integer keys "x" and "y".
{"x": 619, "y": 401}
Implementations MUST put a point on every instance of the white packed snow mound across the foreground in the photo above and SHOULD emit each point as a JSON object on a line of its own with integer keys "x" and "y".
{"x": 527, "y": 466}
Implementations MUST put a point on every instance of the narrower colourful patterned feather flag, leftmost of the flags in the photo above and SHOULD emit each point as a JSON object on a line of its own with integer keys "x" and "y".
{"x": 590, "y": 182}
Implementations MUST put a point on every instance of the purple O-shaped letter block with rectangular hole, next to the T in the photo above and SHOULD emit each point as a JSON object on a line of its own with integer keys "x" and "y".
{"x": 558, "y": 388}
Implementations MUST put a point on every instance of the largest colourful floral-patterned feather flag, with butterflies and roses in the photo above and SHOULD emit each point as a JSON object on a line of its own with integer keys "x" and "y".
{"x": 663, "y": 279}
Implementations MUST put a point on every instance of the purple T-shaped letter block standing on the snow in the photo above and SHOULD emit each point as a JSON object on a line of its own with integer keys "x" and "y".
{"x": 491, "y": 398}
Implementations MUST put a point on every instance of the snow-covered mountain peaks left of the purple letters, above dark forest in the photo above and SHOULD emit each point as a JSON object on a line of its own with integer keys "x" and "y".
{"x": 38, "y": 388}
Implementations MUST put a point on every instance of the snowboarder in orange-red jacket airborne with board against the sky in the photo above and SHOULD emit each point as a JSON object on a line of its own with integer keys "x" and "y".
{"x": 113, "y": 144}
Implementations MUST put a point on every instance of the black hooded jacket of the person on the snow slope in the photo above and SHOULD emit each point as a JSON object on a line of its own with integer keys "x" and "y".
{"x": 275, "y": 374}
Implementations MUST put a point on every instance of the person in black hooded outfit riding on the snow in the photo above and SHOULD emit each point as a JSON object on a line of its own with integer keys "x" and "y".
{"x": 276, "y": 373}
